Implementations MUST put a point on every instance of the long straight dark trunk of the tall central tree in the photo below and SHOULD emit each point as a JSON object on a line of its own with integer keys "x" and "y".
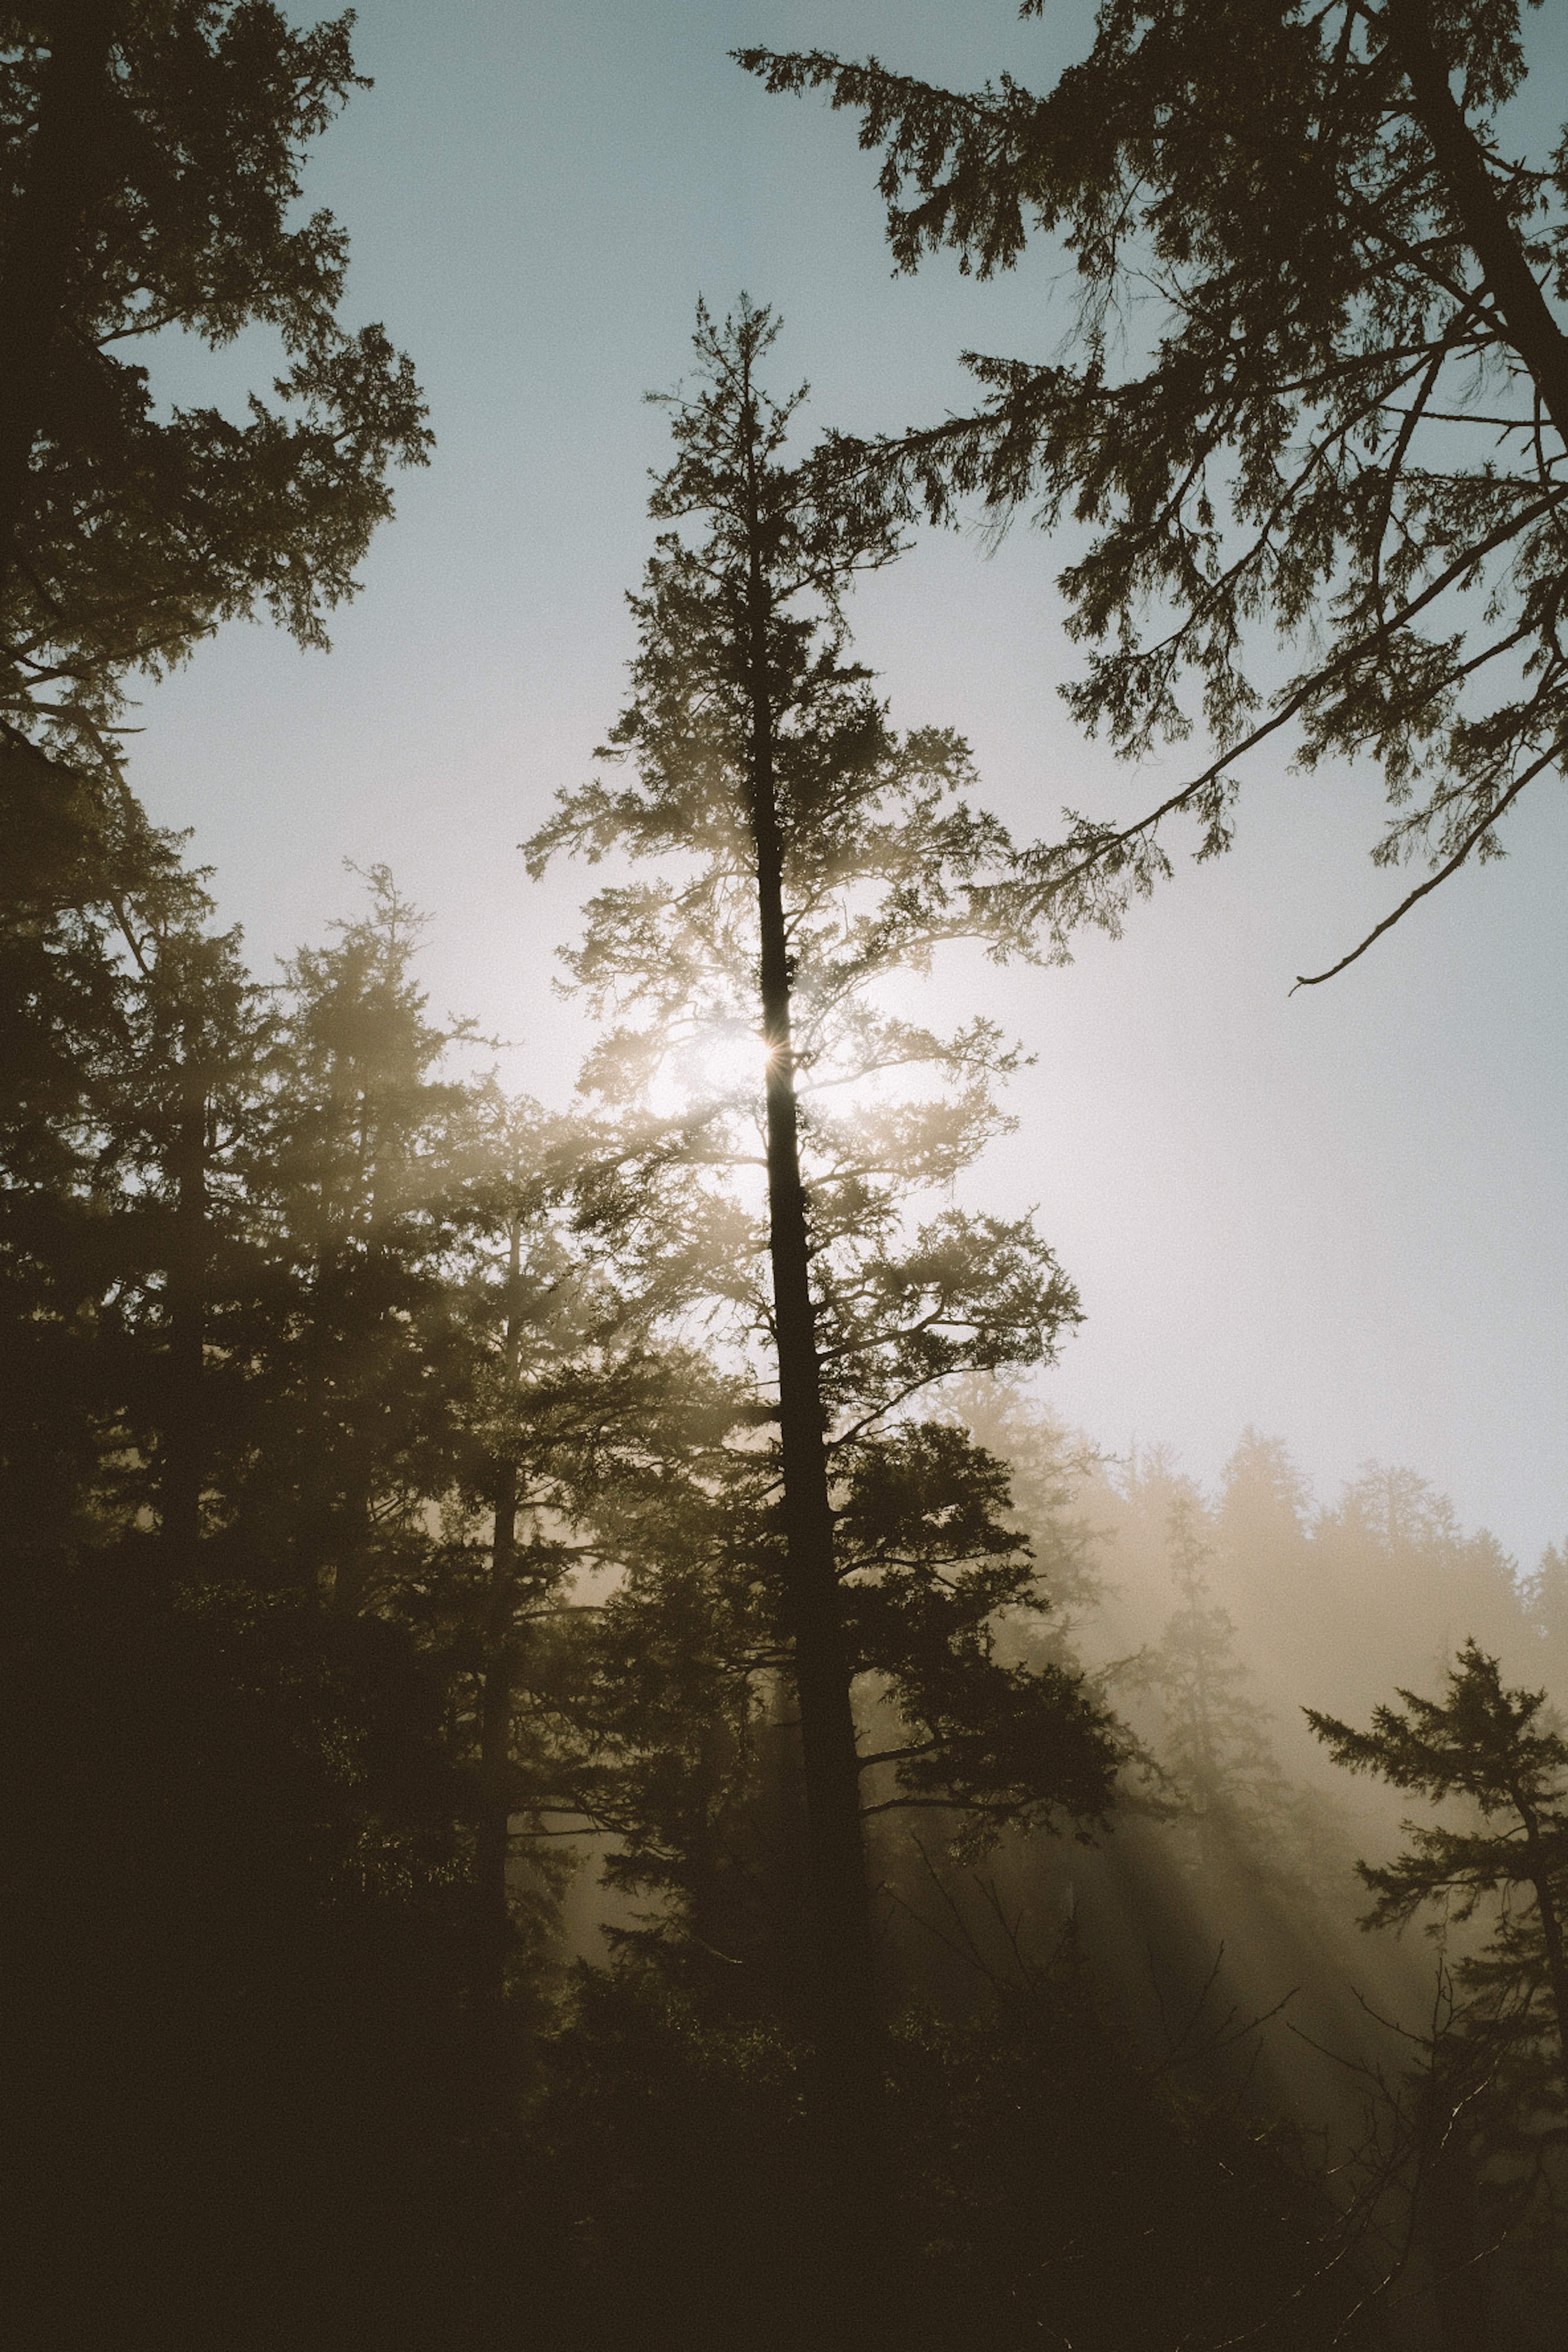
{"x": 847, "y": 1998}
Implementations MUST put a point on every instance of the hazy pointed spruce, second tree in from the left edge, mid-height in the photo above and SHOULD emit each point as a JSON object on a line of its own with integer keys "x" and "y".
{"x": 359, "y": 1203}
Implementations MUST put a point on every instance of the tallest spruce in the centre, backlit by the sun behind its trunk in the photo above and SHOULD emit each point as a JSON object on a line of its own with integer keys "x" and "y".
{"x": 822, "y": 855}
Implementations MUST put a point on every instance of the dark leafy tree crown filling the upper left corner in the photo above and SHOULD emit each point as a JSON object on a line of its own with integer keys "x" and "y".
{"x": 152, "y": 163}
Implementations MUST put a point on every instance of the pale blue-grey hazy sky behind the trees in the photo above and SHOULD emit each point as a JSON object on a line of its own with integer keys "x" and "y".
{"x": 1336, "y": 1215}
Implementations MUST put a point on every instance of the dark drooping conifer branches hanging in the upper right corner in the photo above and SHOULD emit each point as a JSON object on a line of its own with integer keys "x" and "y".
{"x": 1343, "y": 399}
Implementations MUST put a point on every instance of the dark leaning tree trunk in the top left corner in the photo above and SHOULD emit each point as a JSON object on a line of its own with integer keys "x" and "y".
{"x": 67, "y": 161}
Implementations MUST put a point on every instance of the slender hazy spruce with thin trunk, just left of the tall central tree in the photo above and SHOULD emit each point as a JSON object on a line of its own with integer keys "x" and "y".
{"x": 558, "y": 1415}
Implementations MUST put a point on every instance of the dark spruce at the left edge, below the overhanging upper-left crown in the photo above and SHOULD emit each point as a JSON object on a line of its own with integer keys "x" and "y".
{"x": 133, "y": 1095}
